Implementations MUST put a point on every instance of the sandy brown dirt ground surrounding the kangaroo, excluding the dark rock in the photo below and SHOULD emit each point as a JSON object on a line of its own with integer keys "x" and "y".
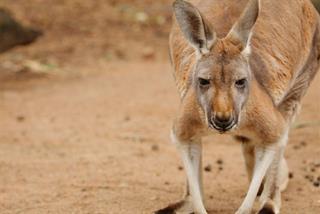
{"x": 85, "y": 127}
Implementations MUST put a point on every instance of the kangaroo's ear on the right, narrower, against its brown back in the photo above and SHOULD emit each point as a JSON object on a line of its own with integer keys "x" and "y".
{"x": 241, "y": 30}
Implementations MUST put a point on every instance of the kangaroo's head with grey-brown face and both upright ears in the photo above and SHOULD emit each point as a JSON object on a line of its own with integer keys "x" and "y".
{"x": 221, "y": 76}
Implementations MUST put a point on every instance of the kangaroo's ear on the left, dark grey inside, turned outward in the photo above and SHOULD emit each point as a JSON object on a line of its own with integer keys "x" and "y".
{"x": 193, "y": 26}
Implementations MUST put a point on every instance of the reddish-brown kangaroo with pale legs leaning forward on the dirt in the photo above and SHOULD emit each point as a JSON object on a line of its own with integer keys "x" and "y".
{"x": 241, "y": 68}
